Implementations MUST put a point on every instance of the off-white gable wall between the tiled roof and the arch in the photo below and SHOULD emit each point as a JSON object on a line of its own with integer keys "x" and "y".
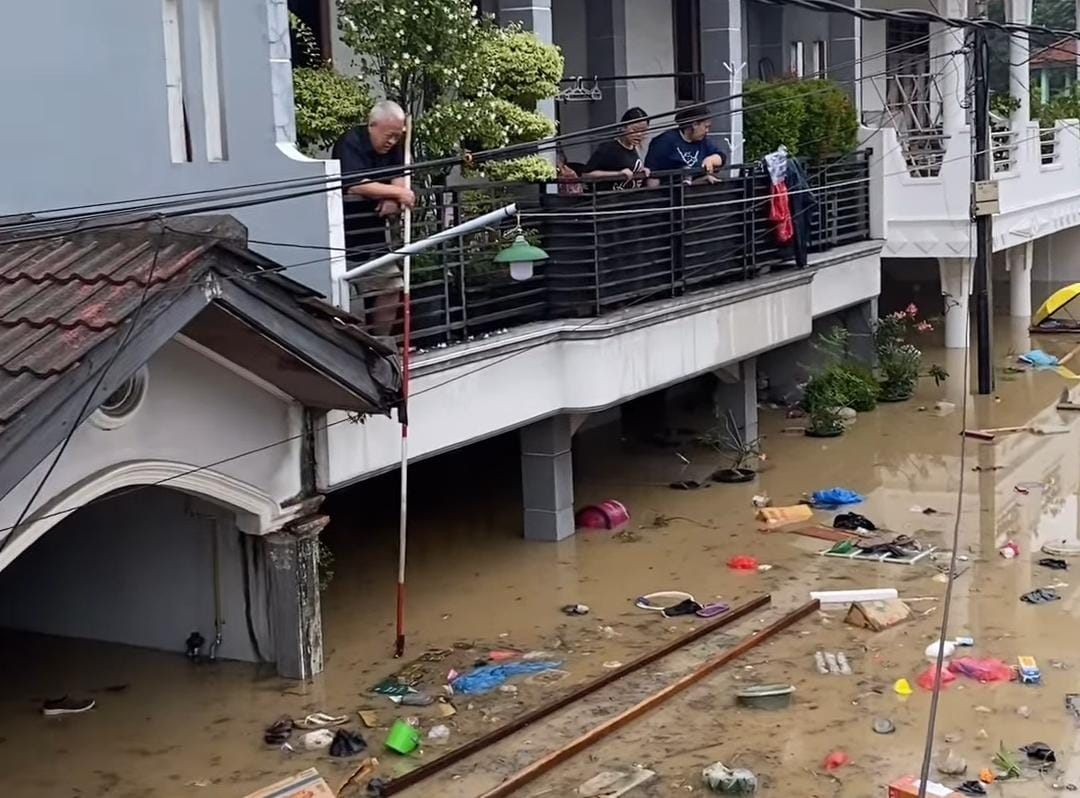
{"x": 196, "y": 413}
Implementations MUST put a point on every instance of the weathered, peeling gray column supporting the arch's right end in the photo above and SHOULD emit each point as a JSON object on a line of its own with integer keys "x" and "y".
{"x": 296, "y": 626}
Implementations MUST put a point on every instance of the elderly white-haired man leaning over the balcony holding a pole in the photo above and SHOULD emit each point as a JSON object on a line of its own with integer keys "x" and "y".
{"x": 371, "y": 202}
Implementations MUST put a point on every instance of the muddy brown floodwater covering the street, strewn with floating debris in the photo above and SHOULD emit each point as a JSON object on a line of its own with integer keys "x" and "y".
{"x": 166, "y": 728}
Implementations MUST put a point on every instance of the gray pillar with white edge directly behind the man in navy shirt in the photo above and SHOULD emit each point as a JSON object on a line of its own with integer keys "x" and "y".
{"x": 724, "y": 65}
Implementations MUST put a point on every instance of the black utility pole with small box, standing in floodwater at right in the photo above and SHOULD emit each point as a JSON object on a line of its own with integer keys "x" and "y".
{"x": 984, "y": 204}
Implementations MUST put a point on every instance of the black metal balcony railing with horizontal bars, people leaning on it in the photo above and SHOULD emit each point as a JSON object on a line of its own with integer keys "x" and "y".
{"x": 609, "y": 249}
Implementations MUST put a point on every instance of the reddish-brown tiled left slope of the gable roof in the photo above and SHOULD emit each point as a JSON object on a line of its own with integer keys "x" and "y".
{"x": 61, "y": 297}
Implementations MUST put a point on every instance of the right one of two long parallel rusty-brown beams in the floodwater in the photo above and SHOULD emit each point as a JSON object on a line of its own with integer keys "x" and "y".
{"x": 543, "y": 766}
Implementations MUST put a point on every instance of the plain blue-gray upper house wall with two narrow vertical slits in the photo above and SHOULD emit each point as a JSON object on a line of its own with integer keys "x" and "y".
{"x": 93, "y": 121}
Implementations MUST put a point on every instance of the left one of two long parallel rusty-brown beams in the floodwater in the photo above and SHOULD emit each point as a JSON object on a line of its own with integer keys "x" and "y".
{"x": 495, "y": 736}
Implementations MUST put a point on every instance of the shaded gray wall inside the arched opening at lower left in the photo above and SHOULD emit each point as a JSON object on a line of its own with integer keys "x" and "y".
{"x": 138, "y": 570}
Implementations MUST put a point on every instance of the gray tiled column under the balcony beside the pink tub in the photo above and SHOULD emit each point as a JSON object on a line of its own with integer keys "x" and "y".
{"x": 548, "y": 479}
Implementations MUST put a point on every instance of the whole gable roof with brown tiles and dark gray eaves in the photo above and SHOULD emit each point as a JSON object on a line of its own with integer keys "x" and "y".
{"x": 74, "y": 306}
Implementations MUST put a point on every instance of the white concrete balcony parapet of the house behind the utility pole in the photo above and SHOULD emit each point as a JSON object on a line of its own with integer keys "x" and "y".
{"x": 1038, "y": 174}
